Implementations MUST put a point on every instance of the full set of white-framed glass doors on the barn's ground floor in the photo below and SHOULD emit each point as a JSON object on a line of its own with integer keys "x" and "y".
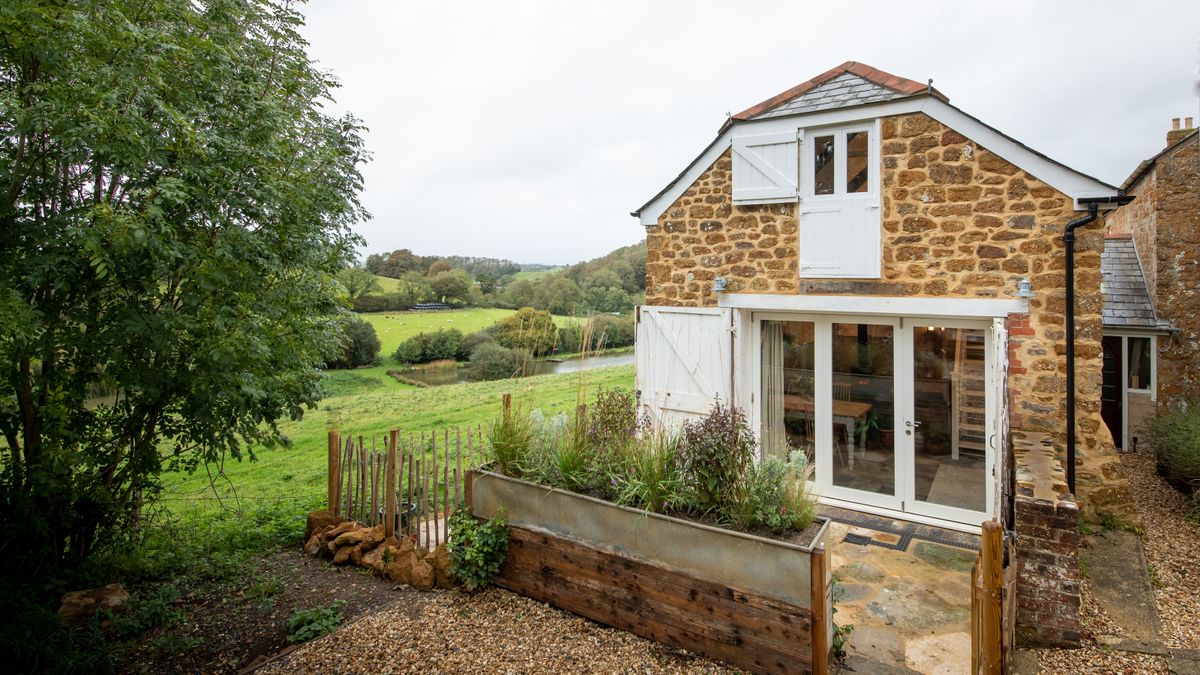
{"x": 893, "y": 414}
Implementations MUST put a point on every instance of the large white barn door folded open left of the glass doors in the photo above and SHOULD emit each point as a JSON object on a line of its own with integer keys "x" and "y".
{"x": 685, "y": 361}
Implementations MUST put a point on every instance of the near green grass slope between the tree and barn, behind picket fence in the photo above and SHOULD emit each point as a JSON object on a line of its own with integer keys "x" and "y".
{"x": 365, "y": 403}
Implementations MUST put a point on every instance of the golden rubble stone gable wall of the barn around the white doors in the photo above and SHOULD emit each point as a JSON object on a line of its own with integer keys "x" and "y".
{"x": 958, "y": 223}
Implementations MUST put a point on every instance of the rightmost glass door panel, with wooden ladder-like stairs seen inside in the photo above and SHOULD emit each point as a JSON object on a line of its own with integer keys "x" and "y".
{"x": 950, "y": 435}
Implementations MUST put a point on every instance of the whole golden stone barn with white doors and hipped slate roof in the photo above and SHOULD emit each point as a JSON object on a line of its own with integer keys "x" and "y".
{"x": 878, "y": 278}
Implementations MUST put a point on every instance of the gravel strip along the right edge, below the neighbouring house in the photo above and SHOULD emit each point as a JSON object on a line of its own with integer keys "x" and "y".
{"x": 1173, "y": 549}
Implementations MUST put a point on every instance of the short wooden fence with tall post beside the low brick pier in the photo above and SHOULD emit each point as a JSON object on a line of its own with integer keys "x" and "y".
{"x": 993, "y": 605}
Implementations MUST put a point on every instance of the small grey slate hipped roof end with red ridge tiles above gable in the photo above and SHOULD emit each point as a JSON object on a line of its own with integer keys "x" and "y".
{"x": 849, "y": 85}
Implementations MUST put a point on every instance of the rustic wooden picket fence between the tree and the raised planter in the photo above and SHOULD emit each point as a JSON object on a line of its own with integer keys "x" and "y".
{"x": 410, "y": 483}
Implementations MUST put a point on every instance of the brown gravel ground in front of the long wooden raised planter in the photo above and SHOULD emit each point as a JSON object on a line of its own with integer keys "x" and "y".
{"x": 494, "y": 632}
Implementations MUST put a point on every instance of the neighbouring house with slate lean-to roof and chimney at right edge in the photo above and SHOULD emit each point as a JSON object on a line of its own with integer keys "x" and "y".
{"x": 1153, "y": 288}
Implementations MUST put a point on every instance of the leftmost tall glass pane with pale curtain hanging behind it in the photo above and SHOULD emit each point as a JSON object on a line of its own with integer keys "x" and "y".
{"x": 788, "y": 415}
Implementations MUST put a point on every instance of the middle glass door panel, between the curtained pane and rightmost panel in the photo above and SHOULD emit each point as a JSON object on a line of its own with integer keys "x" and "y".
{"x": 863, "y": 403}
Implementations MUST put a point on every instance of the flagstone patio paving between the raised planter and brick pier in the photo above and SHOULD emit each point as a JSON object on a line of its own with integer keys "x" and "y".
{"x": 911, "y": 610}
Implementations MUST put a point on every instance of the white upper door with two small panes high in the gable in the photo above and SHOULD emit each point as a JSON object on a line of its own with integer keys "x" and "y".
{"x": 841, "y": 204}
